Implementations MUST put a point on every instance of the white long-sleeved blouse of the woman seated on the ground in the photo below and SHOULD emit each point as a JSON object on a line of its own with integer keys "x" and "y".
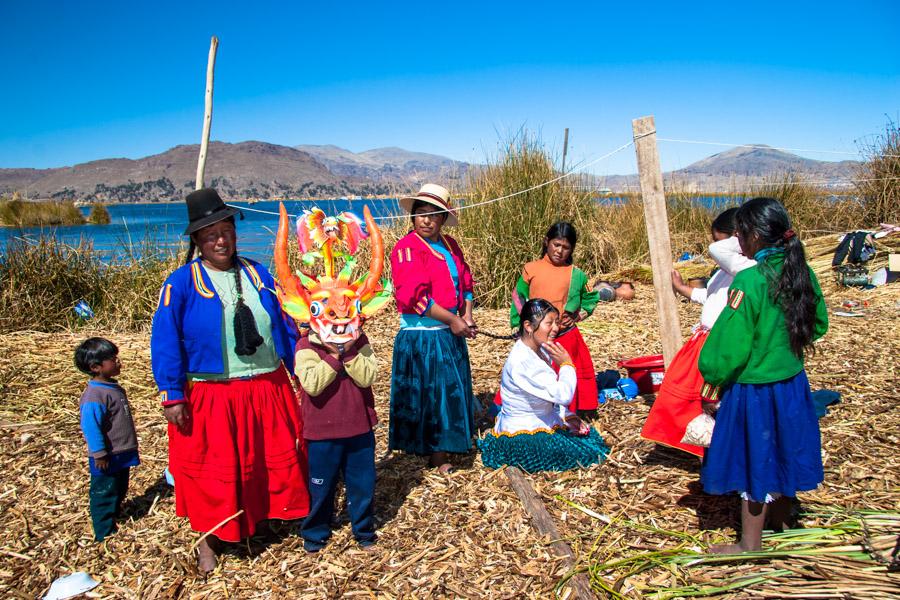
{"x": 534, "y": 397}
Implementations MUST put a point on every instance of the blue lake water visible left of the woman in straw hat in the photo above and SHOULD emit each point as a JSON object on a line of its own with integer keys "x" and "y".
{"x": 137, "y": 227}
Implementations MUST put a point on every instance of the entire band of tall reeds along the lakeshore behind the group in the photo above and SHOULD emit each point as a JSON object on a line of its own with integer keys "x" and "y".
{"x": 40, "y": 281}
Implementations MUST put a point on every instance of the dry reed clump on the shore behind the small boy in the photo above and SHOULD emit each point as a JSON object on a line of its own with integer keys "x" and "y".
{"x": 41, "y": 280}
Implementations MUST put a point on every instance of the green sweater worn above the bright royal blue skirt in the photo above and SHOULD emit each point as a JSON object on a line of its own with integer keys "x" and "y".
{"x": 749, "y": 342}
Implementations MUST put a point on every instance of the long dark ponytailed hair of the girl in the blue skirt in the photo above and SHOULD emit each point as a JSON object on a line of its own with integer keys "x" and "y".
{"x": 792, "y": 290}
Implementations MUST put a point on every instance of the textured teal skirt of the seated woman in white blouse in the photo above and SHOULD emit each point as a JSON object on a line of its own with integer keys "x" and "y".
{"x": 542, "y": 450}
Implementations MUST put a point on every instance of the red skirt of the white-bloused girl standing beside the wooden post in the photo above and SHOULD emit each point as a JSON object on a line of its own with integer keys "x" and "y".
{"x": 678, "y": 400}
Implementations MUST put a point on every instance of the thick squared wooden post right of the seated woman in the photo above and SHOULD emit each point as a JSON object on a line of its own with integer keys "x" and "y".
{"x": 654, "y": 199}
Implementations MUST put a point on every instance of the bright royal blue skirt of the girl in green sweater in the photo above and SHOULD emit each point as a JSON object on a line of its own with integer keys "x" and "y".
{"x": 766, "y": 440}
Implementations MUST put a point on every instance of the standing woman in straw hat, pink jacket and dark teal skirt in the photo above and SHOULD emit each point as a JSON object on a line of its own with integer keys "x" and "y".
{"x": 432, "y": 406}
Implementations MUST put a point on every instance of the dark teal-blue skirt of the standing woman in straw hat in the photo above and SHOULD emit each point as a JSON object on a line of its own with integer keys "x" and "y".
{"x": 432, "y": 405}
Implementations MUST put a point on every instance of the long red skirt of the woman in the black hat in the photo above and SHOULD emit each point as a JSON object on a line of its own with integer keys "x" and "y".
{"x": 242, "y": 450}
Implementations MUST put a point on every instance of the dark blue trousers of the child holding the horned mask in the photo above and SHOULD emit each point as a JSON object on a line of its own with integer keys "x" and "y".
{"x": 354, "y": 458}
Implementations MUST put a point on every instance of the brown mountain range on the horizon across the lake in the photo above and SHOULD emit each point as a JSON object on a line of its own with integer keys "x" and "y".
{"x": 261, "y": 170}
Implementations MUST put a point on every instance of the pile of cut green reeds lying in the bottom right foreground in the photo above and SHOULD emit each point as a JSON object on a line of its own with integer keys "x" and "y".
{"x": 858, "y": 547}
